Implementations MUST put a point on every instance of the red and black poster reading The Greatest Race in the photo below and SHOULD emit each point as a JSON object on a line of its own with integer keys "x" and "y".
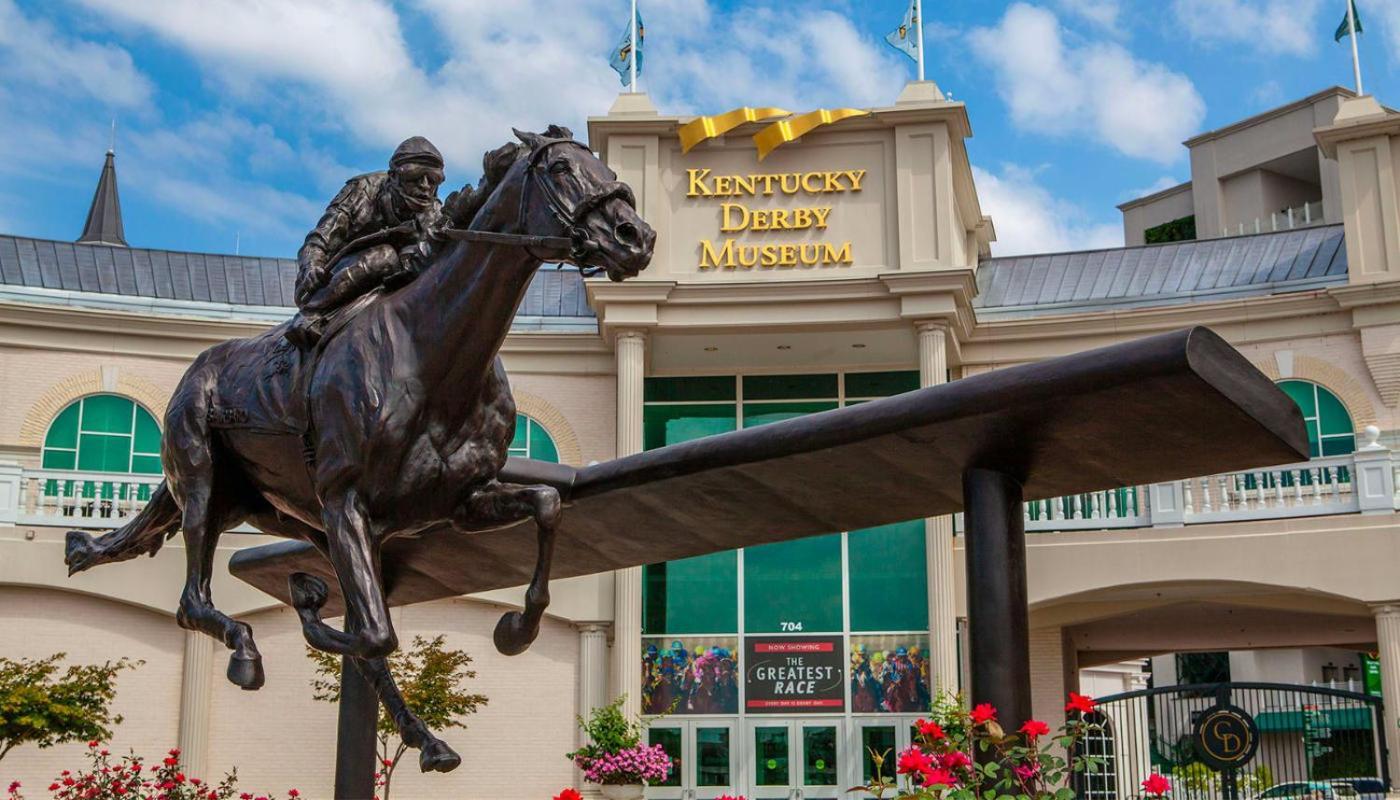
{"x": 793, "y": 675}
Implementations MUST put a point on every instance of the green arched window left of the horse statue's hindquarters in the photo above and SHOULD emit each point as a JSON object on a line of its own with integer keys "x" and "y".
{"x": 104, "y": 434}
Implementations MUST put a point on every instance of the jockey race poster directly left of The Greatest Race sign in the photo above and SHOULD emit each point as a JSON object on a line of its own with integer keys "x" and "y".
{"x": 691, "y": 676}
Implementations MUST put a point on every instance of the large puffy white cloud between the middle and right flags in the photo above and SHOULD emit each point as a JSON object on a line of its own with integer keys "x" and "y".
{"x": 1097, "y": 90}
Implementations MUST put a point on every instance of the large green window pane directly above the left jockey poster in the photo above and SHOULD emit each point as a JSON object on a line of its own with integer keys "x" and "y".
{"x": 692, "y": 596}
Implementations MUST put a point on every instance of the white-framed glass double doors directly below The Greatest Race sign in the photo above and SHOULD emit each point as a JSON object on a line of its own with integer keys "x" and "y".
{"x": 796, "y": 760}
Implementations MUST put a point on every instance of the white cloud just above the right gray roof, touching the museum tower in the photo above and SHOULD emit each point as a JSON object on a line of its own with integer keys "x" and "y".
{"x": 1030, "y": 219}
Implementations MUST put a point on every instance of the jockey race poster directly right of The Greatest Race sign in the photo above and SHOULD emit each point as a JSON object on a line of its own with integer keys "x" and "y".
{"x": 890, "y": 675}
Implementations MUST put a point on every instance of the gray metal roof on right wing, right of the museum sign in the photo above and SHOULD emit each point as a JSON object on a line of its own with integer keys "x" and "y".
{"x": 1160, "y": 275}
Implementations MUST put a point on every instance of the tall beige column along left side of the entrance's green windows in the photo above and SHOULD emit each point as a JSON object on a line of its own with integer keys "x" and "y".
{"x": 632, "y": 366}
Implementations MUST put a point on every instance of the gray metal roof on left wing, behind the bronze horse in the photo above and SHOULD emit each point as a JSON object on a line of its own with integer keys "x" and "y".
{"x": 208, "y": 278}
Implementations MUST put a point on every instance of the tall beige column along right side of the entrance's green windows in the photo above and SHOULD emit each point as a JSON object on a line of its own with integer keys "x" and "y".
{"x": 939, "y": 535}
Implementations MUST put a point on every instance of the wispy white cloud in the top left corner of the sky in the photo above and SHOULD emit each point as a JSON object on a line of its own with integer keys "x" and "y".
{"x": 33, "y": 53}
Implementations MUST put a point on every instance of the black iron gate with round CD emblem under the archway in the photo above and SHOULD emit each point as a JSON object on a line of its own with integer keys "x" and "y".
{"x": 1240, "y": 742}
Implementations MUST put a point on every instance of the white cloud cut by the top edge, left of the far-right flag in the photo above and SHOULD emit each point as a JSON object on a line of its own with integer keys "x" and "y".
{"x": 1290, "y": 27}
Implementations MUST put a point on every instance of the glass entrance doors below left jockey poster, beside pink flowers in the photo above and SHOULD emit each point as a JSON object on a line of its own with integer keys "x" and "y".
{"x": 705, "y": 757}
